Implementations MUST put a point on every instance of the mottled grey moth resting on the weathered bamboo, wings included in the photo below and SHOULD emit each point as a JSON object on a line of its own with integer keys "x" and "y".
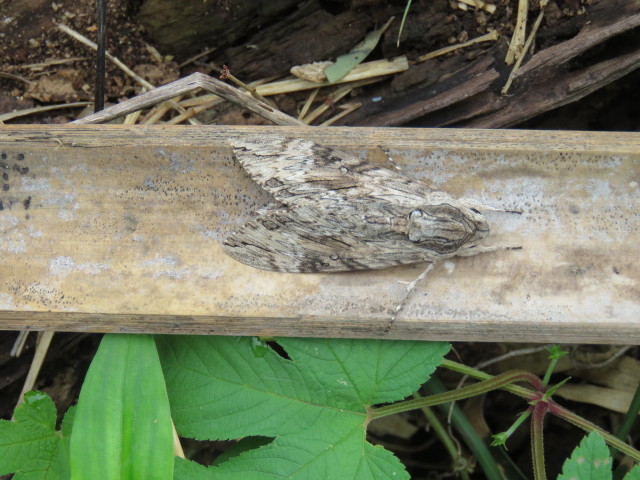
{"x": 334, "y": 212}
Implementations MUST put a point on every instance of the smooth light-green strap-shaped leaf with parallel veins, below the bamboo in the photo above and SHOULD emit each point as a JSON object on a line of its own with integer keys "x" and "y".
{"x": 122, "y": 425}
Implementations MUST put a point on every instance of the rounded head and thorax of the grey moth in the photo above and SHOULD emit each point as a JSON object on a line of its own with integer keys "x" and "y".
{"x": 447, "y": 229}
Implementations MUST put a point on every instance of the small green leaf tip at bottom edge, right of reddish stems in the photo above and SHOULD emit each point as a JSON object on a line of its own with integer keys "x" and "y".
{"x": 589, "y": 461}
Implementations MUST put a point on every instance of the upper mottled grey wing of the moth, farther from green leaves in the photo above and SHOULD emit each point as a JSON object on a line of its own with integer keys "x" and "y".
{"x": 300, "y": 172}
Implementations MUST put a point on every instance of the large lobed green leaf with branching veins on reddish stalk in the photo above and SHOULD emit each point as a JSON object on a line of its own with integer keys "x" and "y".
{"x": 314, "y": 405}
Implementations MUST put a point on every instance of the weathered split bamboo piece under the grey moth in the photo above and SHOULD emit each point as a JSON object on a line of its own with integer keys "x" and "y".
{"x": 117, "y": 229}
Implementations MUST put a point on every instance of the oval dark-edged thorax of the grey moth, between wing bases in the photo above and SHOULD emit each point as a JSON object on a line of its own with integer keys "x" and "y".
{"x": 442, "y": 225}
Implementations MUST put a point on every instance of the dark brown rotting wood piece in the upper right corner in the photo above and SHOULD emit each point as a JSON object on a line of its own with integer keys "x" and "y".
{"x": 551, "y": 78}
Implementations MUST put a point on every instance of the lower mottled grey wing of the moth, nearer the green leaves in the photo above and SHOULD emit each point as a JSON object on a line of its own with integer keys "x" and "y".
{"x": 290, "y": 241}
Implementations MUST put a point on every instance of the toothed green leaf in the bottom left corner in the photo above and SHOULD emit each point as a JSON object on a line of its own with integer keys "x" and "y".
{"x": 29, "y": 446}
